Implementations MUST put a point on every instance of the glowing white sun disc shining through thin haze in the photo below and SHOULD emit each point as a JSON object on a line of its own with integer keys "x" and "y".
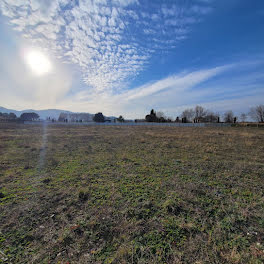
{"x": 38, "y": 62}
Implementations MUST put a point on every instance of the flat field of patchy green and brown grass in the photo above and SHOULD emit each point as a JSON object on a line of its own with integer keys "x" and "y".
{"x": 78, "y": 194}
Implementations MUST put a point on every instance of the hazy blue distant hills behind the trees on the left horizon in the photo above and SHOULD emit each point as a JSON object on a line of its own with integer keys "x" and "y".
{"x": 52, "y": 113}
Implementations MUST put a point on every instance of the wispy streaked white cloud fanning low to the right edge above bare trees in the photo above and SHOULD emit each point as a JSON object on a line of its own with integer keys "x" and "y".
{"x": 211, "y": 87}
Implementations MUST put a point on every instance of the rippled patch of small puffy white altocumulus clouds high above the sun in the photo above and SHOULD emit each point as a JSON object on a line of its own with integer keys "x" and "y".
{"x": 110, "y": 41}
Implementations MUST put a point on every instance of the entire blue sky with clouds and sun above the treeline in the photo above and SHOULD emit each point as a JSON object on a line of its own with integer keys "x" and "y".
{"x": 129, "y": 56}
